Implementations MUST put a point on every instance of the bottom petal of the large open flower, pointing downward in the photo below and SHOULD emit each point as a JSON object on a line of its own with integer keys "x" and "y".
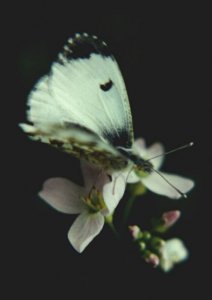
{"x": 84, "y": 229}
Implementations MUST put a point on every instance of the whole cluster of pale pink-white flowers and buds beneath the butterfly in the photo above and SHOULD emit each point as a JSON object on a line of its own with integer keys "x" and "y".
{"x": 96, "y": 201}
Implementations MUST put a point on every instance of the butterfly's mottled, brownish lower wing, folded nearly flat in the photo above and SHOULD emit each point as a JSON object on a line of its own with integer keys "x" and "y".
{"x": 81, "y": 143}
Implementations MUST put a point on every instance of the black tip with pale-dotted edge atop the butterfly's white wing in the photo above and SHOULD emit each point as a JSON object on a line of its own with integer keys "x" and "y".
{"x": 81, "y": 46}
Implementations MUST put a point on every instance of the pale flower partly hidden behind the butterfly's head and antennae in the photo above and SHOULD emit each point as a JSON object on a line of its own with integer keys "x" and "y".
{"x": 153, "y": 181}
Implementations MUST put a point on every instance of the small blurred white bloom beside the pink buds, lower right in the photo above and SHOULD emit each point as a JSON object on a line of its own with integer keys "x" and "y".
{"x": 172, "y": 252}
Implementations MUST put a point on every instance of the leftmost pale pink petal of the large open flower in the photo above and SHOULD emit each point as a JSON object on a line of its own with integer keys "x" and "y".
{"x": 63, "y": 195}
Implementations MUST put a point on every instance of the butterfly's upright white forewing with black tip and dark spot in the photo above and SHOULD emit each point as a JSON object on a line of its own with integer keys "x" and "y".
{"x": 89, "y": 73}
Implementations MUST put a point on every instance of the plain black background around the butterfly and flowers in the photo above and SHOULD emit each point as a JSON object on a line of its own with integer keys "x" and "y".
{"x": 164, "y": 60}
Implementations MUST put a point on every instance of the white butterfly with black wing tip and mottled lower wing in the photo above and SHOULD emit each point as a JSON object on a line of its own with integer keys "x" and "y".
{"x": 82, "y": 107}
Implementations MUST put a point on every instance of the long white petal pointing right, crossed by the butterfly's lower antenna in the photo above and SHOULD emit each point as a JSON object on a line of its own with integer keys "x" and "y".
{"x": 155, "y": 183}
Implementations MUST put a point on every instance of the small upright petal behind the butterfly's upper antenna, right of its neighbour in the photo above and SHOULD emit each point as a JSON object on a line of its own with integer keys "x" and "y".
{"x": 154, "y": 150}
